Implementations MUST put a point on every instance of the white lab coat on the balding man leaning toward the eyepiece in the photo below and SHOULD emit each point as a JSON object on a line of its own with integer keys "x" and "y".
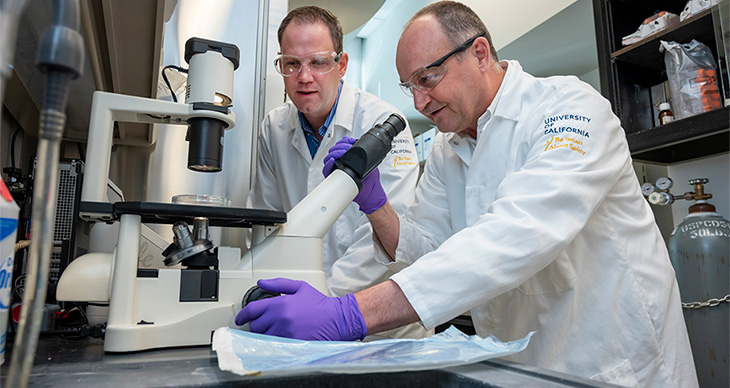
{"x": 540, "y": 225}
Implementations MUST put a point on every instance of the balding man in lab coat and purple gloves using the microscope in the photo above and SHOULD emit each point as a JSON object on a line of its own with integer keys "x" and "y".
{"x": 528, "y": 214}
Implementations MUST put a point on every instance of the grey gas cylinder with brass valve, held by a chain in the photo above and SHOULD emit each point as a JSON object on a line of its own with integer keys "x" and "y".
{"x": 700, "y": 252}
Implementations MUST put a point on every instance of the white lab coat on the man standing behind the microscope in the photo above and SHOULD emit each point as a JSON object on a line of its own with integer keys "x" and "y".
{"x": 286, "y": 173}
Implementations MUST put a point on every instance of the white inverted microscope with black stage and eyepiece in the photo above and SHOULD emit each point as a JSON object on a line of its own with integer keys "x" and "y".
{"x": 184, "y": 305}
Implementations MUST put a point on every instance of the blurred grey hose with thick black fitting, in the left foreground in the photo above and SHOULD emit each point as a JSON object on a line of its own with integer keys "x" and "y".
{"x": 61, "y": 57}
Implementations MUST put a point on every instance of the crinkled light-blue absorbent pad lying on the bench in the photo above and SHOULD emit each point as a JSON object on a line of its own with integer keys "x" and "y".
{"x": 246, "y": 353}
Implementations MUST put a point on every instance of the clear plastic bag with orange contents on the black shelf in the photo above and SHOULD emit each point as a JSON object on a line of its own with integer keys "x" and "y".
{"x": 692, "y": 75}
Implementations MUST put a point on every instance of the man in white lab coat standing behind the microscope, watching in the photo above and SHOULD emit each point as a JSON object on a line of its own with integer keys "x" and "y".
{"x": 289, "y": 167}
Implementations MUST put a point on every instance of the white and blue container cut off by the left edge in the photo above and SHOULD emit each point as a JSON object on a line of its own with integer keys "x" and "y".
{"x": 8, "y": 231}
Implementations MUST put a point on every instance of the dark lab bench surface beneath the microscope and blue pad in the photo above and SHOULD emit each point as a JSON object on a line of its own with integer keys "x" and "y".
{"x": 63, "y": 362}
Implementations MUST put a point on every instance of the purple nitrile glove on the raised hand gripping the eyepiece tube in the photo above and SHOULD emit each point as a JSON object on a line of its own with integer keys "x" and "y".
{"x": 371, "y": 196}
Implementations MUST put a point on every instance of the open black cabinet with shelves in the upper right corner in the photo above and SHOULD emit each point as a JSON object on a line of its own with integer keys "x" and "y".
{"x": 630, "y": 76}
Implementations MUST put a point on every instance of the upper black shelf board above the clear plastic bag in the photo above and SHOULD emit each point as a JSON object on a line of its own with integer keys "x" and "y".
{"x": 646, "y": 52}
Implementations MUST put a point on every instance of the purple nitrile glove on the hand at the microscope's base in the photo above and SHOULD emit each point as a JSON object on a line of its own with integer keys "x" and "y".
{"x": 303, "y": 313}
